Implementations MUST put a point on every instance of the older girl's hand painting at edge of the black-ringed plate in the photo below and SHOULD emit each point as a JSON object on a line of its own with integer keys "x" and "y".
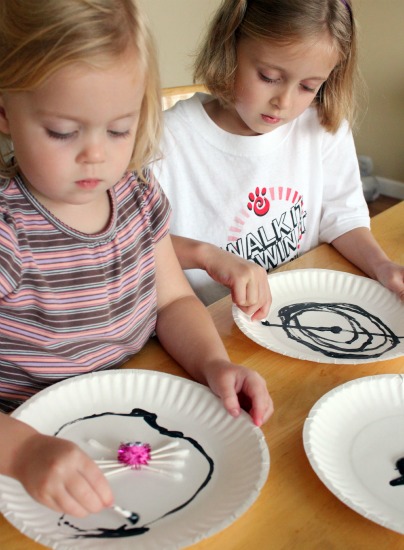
{"x": 247, "y": 281}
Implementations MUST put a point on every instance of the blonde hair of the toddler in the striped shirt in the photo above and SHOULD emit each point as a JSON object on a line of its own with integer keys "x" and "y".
{"x": 39, "y": 37}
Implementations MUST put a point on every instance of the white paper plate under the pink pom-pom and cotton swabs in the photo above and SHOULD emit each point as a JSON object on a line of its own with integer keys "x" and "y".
{"x": 227, "y": 465}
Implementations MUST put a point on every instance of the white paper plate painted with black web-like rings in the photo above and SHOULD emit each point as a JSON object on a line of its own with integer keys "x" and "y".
{"x": 329, "y": 317}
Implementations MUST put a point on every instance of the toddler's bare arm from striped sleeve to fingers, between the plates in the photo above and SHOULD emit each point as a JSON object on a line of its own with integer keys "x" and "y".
{"x": 186, "y": 330}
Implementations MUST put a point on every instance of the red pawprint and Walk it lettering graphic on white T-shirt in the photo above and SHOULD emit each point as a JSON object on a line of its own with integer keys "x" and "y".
{"x": 270, "y": 228}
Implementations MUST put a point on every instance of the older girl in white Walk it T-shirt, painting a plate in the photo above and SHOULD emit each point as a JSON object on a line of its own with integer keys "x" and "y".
{"x": 264, "y": 168}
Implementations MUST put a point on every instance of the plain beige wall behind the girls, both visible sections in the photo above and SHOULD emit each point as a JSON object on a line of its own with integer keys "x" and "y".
{"x": 178, "y": 26}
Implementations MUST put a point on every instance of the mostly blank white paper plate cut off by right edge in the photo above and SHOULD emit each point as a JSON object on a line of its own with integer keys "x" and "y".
{"x": 353, "y": 437}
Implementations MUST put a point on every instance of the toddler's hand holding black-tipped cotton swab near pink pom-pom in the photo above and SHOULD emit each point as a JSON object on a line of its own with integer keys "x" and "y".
{"x": 58, "y": 474}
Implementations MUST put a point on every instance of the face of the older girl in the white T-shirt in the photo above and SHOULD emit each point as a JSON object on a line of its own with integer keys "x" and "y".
{"x": 275, "y": 83}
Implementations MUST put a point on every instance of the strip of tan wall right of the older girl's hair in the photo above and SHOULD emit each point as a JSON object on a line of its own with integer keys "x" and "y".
{"x": 381, "y": 134}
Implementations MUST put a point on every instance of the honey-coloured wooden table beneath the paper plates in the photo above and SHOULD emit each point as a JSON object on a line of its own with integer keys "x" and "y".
{"x": 294, "y": 510}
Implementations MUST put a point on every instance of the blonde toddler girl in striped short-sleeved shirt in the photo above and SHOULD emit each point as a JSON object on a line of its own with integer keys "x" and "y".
{"x": 87, "y": 268}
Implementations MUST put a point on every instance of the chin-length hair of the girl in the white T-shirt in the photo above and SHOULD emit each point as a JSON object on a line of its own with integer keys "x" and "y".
{"x": 284, "y": 22}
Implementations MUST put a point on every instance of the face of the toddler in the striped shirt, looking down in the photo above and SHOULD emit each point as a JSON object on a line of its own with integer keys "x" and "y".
{"x": 74, "y": 136}
